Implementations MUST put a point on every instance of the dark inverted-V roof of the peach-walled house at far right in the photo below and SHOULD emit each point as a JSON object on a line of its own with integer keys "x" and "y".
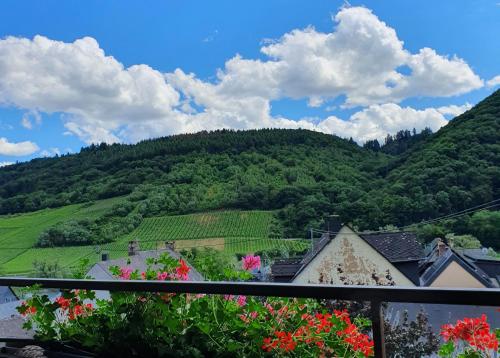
{"x": 434, "y": 264}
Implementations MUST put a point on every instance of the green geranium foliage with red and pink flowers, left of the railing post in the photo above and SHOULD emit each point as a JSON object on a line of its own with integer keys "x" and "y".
{"x": 184, "y": 325}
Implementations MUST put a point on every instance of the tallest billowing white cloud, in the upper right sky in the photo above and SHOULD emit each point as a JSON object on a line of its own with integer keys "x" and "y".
{"x": 360, "y": 59}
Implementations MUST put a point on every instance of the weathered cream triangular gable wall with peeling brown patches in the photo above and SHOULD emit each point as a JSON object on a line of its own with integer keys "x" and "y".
{"x": 355, "y": 258}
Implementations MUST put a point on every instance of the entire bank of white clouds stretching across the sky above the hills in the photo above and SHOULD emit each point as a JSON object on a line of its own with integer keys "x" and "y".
{"x": 362, "y": 59}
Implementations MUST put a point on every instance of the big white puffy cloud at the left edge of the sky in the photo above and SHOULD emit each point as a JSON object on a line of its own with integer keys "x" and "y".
{"x": 99, "y": 95}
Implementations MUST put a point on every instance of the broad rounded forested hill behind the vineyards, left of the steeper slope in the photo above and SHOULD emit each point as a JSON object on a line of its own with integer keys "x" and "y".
{"x": 263, "y": 169}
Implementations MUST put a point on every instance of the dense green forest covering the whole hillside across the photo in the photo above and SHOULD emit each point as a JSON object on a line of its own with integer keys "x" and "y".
{"x": 303, "y": 175}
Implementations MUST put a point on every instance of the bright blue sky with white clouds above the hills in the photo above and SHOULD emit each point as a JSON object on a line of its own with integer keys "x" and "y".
{"x": 350, "y": 75}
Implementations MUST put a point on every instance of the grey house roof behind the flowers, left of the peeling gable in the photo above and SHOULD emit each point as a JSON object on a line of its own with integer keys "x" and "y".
{"x": 100, "y": 271}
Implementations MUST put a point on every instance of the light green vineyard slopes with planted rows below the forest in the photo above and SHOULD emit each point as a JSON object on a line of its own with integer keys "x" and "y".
{"x": 226, "y": 231}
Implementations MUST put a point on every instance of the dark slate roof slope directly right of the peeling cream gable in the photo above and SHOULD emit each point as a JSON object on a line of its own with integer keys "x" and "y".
{"x": 395, "y": 246}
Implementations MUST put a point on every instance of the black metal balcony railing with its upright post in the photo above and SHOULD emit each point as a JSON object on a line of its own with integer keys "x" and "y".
{"x": 376, "y": 295}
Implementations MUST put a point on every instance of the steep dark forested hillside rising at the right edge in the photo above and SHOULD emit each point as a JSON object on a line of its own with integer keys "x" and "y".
{"x": 456, "y": 168}
